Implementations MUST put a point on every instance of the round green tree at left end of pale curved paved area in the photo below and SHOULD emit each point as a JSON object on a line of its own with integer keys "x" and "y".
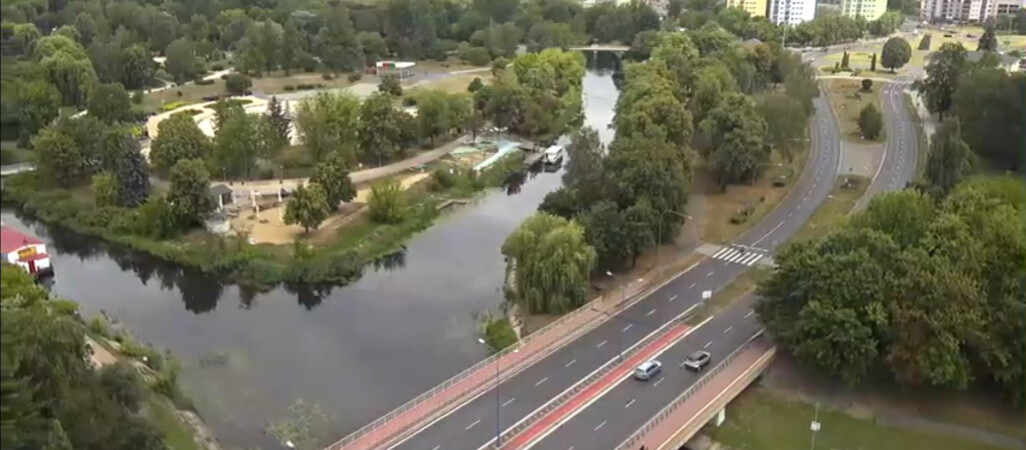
{"x": 178, "y": 139}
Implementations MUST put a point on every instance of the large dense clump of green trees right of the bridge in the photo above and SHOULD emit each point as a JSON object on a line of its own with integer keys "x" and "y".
{"x": 929, "y": 292}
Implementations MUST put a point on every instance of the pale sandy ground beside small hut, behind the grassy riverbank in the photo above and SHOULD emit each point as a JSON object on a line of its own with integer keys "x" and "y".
{"x": 269, "y": 228}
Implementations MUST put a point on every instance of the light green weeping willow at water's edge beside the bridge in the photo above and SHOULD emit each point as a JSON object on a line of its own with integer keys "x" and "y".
{"x": 548, "y": 265}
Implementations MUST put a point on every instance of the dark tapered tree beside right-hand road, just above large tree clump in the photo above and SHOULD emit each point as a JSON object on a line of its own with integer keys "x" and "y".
{"x": 951, "y": 159}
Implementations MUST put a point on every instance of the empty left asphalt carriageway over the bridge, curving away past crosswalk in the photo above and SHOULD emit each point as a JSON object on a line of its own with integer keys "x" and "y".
{"x": 473, "y": 426}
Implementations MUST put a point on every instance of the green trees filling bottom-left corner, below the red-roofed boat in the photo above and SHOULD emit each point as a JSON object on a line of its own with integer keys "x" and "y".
{"x": 53, "y": 398}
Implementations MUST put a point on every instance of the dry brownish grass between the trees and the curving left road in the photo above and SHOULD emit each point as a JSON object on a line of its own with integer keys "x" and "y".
{"x": 721, "y": 207}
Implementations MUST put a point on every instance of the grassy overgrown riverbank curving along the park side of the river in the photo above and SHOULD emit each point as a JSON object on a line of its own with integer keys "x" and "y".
{"x": 338, "y": 258}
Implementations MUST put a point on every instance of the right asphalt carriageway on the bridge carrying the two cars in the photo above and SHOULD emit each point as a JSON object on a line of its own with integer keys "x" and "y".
{"x": 628, "y": 406}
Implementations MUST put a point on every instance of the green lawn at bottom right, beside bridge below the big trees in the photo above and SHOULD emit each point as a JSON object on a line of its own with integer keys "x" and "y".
{"x": 762, "y": 420}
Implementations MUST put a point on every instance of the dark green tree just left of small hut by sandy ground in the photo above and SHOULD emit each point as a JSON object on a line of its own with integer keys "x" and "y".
{"x": 190, "y": 195}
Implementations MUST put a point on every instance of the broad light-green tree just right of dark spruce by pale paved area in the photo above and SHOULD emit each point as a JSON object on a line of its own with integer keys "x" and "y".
{"x": 329, "y": 122}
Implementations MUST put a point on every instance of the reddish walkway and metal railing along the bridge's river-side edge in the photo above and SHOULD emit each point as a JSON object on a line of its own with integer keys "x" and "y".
{"x": 383, "y": 421}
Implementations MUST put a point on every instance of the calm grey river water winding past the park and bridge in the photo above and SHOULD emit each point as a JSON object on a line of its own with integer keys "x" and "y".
{"x": 359, "y": 351}
